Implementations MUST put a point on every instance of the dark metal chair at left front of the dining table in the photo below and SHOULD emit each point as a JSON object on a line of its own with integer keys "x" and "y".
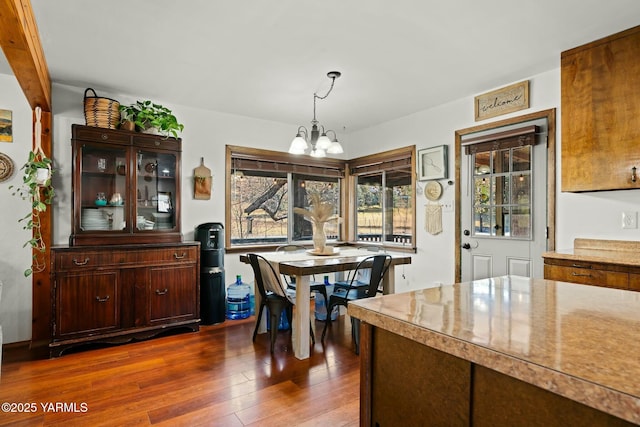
{"x": 273, "y": 295}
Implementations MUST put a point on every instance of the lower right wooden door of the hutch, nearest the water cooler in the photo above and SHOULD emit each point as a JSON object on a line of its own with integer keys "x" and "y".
{"x": 172, "y": 294}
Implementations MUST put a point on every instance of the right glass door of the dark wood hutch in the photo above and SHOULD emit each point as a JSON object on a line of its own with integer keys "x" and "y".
{"x": 156, "y": 191}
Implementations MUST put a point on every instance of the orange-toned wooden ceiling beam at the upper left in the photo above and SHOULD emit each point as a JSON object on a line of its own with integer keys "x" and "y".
{"x": 20, "y": 42}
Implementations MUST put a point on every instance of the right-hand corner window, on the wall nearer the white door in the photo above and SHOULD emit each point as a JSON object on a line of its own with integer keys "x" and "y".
{"x": 384, "y": 197}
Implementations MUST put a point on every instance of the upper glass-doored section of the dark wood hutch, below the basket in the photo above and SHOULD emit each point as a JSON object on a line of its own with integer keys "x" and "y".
{"x": 126, "y": 187}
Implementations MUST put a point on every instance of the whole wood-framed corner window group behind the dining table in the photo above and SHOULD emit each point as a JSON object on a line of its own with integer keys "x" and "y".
{"x": 264, "y": 186}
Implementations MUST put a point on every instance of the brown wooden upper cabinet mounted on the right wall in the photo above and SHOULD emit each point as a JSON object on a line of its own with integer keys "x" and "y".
{"x": 601, "y": 114}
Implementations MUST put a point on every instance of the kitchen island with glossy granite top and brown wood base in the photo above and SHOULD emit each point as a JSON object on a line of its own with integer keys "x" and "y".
{"x": 501, "y": 351}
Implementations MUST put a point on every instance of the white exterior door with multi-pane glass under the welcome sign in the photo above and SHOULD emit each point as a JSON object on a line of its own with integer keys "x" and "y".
{"x": 503, "y": 207}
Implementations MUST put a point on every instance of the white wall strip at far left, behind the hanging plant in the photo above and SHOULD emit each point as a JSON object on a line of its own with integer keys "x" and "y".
{"x": 15, "y": 305}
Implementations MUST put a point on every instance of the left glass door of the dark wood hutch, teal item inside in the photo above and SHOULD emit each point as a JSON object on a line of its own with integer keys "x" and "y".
{"x": 103, "y": 186}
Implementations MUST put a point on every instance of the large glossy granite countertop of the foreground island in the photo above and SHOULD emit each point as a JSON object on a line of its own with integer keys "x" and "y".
{"x": 581, "y": 342}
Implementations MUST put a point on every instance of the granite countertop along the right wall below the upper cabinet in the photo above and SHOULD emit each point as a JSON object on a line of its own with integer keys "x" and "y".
{"x": 605, "y": 251}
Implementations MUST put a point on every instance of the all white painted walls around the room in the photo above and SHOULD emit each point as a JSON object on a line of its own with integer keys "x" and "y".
{"x": 595, "y": 215}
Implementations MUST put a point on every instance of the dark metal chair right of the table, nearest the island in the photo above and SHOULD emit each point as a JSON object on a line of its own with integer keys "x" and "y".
{"x": 379, "y": 265}
